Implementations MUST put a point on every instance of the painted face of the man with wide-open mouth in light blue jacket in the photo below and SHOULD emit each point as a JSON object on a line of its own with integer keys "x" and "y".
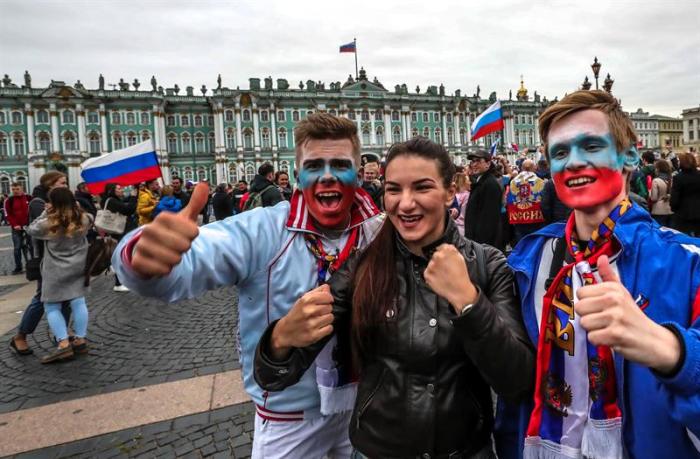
{"x": 328, "y": 186}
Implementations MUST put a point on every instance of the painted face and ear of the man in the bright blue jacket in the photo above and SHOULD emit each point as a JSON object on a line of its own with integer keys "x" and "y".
{"x": 585, "y": 164}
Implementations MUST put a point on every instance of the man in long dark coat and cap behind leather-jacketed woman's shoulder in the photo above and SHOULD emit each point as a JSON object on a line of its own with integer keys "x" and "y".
{"x": 482, "y": 216}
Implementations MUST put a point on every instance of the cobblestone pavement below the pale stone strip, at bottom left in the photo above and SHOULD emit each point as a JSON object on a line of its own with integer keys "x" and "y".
{"x": 222, "y": 433}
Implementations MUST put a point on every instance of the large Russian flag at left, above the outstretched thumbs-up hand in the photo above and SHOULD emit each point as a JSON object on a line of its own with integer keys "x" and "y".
{"x": 129, "y": 166}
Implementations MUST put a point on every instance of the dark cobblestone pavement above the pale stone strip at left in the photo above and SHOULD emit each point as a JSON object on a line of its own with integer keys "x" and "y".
{"x": 133, "y": 342}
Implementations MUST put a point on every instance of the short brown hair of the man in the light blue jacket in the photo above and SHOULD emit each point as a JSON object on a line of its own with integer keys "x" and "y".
{"x": 324, "y": 126}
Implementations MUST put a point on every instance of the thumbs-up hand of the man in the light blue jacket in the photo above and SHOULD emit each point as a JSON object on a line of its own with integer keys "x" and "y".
{"x": 163, "y": 241}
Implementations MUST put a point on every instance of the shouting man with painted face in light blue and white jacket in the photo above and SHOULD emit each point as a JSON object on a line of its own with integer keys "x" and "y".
{"x": 274, "y": 255}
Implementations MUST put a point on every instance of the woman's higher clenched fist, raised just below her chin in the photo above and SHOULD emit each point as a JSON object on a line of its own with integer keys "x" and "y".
{"x": 448, "y": 276}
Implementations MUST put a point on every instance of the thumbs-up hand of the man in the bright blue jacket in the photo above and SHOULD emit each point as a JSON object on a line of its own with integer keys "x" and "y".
{"x": 612, "y": 318}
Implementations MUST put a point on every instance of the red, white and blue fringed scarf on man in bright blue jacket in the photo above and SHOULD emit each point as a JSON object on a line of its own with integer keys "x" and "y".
{"x": 576, "y": 411}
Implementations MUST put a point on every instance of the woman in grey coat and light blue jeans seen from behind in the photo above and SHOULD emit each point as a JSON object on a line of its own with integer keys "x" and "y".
{"x": 63, "y": 225}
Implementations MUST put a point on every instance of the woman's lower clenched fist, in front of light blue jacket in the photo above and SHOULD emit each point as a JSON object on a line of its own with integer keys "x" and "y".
{"x": 309, "y": 320}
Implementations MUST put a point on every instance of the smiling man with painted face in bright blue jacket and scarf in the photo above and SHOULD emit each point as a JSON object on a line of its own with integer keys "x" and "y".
{"x": 612, "y": 301}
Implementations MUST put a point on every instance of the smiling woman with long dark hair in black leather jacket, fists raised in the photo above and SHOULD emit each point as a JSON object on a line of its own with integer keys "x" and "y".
{"x": 431, "y": 318}
